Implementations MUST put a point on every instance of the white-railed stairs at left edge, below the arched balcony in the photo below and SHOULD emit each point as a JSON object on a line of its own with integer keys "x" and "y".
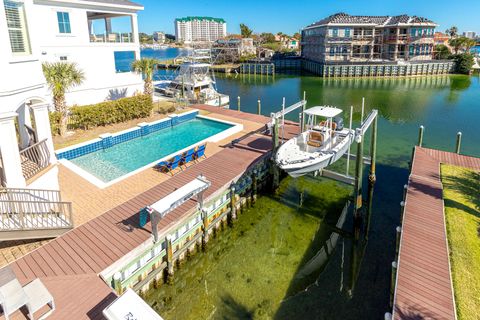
{"x": 33, "y": 214}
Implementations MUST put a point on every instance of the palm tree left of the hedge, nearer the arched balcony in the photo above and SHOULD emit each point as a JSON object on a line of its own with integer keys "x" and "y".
{"x": 61, "y": 77}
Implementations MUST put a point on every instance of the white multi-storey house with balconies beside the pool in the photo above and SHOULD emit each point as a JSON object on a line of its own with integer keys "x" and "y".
{"x": 100, "y": 36}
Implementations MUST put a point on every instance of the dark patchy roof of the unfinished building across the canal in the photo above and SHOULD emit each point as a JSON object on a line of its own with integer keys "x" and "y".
{"x": 344, "y": 18}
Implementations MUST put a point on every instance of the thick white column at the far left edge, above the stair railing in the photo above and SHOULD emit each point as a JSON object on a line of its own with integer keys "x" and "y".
{"x": 12, "y": 165}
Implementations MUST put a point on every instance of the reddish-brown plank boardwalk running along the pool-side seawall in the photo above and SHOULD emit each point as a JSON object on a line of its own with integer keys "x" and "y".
{"x": 69, "y": 265}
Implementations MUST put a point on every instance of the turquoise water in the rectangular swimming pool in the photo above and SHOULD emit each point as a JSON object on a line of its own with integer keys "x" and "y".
{"x": 122, "y": 158}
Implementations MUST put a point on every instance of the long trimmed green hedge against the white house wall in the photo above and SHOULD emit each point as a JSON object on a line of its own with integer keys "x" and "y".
{"x": 105, "y": 113}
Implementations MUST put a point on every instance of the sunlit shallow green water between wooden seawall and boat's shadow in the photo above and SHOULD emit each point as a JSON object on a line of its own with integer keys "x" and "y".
{"x": 248, "y": 270}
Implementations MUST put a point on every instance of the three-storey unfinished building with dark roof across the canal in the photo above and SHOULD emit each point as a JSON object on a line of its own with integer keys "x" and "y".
{"x": 343, "y": 38}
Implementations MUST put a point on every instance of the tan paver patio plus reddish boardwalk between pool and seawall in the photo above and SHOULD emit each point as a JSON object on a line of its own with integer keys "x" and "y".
{"x": 106, "y": 220}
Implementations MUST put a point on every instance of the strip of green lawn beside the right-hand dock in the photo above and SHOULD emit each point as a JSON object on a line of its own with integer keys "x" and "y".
{"x": 462, "y": 210}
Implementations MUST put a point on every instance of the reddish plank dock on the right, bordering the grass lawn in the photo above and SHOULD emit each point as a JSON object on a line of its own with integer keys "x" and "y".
{"x": 424, "y": 286}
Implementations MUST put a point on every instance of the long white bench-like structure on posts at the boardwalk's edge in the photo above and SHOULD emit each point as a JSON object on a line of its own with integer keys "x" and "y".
{"x": 161, "y": 208}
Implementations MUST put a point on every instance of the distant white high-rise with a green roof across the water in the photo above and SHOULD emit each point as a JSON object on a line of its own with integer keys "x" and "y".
{"x": 199, "y": 29}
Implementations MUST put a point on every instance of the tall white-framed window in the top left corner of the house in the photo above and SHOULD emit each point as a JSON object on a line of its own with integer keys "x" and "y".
{"x": 17, "y": 27}
